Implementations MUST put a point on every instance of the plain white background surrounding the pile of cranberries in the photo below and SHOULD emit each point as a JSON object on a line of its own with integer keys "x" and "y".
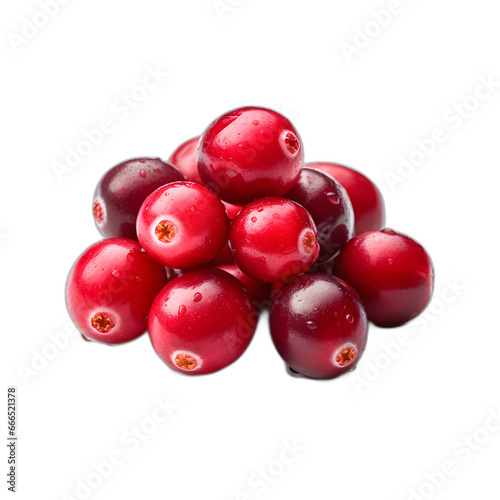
{"x": 373, "y": 434}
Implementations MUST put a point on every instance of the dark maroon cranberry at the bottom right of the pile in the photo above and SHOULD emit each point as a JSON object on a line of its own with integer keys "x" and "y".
{"x": 318, "y": 325}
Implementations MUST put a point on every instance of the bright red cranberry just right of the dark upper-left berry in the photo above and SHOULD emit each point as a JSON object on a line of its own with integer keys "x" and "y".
{"x": 182, "y": 225}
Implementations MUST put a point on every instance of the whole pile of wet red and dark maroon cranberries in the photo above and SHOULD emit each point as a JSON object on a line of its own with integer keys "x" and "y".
{"x": 235, "y": 223}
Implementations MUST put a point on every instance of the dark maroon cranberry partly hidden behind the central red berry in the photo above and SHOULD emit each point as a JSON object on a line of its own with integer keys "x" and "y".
{"x": 329, "y": 205}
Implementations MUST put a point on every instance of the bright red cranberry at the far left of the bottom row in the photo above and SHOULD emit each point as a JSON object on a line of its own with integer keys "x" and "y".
{"x": 110, "y": 290}
